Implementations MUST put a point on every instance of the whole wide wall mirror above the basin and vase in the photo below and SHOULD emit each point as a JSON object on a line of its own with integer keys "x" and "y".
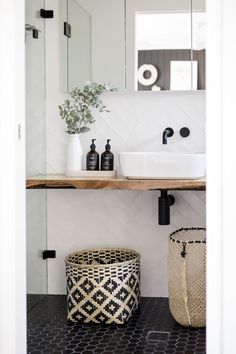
{"x": 142, "y": 45}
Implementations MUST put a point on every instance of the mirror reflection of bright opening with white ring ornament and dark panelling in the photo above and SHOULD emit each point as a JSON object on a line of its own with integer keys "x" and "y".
{"x": 175, "y": 60}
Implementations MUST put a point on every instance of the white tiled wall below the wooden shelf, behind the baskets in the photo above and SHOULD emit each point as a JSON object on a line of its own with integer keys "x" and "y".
{"x": 82, "y": 219}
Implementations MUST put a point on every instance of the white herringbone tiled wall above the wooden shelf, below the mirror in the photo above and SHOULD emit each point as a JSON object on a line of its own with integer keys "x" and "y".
{"x": 135, "y": 123}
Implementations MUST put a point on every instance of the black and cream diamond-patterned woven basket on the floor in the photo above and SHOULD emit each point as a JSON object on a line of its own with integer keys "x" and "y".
{"x": 103, "y": 285}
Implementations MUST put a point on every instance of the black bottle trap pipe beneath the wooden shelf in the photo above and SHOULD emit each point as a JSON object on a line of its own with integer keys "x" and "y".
{"x": 164, "y": 203}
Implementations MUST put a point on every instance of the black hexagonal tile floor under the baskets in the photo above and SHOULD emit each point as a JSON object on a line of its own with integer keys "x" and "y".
{"x": 49, "y": 332}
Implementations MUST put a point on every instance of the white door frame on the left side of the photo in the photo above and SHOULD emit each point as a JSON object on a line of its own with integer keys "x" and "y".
{"x": 12, "y": 179}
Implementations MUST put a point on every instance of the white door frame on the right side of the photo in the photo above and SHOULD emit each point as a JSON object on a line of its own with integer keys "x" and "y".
{"x": 221, "y": 191}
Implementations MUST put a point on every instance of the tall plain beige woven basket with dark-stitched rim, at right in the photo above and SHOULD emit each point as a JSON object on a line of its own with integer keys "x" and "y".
{"x": 187, "y": 276}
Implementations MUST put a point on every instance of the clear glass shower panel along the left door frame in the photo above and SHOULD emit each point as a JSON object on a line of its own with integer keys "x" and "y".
{"x": 35, "y": 148}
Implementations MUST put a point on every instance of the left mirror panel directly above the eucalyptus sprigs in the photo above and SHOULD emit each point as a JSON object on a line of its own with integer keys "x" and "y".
{"x": 96, "y": 47}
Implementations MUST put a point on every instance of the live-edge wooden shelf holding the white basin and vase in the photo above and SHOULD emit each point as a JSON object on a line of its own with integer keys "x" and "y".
{"x": 63, "y": 182}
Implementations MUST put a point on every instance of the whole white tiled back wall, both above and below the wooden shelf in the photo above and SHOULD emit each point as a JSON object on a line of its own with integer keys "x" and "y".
{"x": 81, "y": 219}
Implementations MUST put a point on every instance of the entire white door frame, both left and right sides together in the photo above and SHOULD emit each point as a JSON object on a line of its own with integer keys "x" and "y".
{"x": 221, "y": 193}
